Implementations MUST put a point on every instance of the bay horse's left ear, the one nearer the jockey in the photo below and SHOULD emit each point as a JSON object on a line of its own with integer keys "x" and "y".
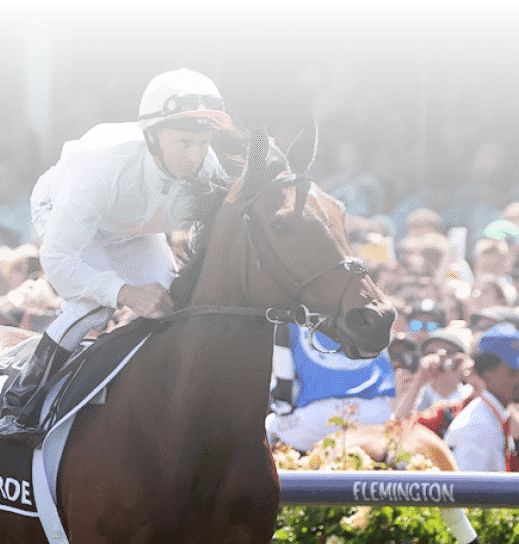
{"x": 255, "y": 177}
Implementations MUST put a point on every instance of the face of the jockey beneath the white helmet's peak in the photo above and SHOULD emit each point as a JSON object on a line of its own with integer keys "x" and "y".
{"x": 184, "y": 152}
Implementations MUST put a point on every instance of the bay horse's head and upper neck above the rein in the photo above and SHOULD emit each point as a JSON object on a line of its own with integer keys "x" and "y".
{"x": 287, "y": 247}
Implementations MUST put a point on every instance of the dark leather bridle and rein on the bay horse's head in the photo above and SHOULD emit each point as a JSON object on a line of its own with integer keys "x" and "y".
{"x": 298, "y": 314}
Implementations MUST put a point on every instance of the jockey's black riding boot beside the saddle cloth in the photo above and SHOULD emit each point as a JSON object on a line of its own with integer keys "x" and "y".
{"x": 20, "y": 426}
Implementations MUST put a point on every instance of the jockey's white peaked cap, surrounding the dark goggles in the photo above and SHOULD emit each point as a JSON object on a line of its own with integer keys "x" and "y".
{"x": 159, "y": 96}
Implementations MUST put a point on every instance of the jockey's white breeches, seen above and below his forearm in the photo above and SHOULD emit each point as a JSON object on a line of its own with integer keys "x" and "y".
{"x": 139, "y": 261}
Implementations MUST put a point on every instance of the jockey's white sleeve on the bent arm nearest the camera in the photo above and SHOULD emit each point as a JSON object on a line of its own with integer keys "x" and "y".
{"x": 72, "y": 226}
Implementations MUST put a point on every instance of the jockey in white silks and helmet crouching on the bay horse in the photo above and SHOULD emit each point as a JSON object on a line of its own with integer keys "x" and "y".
{"x": 104, "y": 210}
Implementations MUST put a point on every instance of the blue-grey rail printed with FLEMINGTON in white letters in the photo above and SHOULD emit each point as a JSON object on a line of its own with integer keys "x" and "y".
{"x": 406, "y": 488}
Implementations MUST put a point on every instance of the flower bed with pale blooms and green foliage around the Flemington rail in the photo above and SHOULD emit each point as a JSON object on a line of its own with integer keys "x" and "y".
{"x": 351, "y": 524}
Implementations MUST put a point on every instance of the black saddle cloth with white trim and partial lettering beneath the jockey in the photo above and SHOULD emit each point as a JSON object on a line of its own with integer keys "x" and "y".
{"x": 28, "y": 477}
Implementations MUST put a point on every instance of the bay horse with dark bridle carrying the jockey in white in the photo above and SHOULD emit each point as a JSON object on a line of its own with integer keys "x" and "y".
{"x": 178, "y": 452}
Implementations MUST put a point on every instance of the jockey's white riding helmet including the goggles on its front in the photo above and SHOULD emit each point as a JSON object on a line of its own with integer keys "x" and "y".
{"x": 182, "y": 94}
